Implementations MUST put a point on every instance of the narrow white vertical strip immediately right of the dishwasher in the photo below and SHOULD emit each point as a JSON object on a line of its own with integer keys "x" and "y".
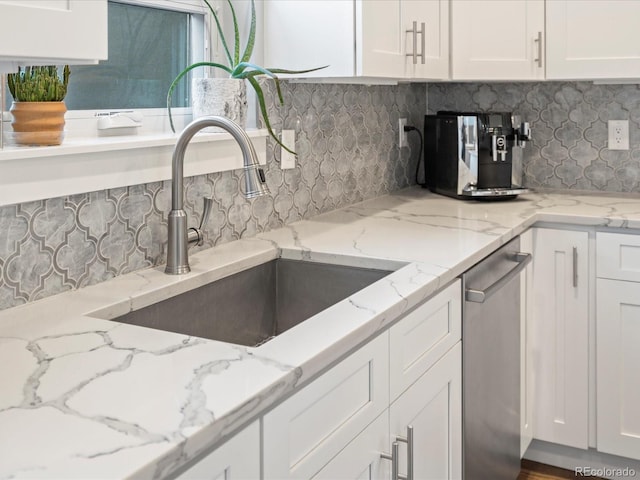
{"x": 526, "y": 364}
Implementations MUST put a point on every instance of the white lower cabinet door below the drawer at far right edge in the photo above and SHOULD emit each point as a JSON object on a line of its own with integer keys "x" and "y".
{"x": 618, "y": 367}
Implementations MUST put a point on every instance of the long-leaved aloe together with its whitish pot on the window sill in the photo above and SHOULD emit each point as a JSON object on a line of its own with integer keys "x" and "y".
{"x": 239, "y": 69}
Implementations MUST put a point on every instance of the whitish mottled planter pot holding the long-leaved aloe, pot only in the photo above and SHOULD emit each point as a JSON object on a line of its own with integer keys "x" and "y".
{"x": 225, "y": 97}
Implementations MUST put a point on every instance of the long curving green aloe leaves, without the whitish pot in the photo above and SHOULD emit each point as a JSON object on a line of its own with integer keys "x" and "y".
{"x": 239, "y": 67}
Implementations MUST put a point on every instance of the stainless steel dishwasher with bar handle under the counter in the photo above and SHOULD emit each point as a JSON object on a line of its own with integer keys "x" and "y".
{"x": 491, "y": 365}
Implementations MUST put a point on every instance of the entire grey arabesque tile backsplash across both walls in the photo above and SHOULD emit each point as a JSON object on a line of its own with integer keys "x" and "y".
{"x": 348, "y": 152}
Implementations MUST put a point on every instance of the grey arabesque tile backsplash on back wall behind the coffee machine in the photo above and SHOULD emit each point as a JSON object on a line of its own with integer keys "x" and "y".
{"x": 569, "y": 128}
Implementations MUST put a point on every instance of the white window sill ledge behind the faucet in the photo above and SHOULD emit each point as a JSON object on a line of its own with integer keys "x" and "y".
{"x": 82, "y": 165}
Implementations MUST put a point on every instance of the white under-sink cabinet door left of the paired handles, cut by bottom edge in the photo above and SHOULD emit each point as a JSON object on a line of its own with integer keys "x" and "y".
{"x": 361, "y": 458}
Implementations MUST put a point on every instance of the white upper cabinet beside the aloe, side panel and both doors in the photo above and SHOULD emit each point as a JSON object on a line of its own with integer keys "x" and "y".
{"x": 357, "y": 38}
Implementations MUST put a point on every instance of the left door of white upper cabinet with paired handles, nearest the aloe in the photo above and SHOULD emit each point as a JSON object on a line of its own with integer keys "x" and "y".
{"x": 379, "y": 35}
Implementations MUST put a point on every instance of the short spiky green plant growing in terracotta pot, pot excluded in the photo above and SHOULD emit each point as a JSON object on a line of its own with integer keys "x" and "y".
{"x": 39, "y": 84}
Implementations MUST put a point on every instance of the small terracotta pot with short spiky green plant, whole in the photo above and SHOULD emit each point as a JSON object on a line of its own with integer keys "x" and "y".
{"x": 38, "y": 104}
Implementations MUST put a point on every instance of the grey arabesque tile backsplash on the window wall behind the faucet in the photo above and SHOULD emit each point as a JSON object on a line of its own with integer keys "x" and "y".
{"x": 348, "y": 152}
